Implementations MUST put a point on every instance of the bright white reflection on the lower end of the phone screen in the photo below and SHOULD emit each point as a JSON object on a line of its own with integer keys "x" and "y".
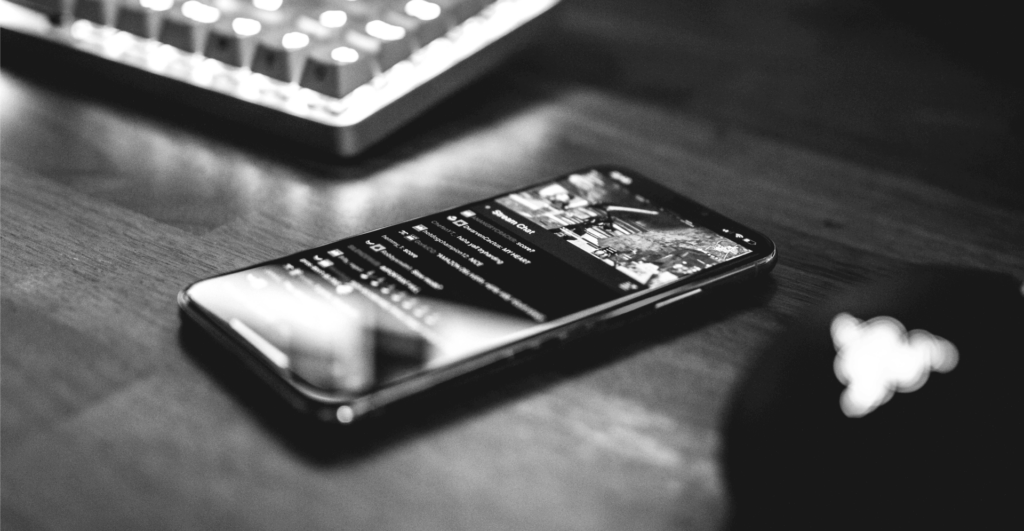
{"x": 349, "y": 340}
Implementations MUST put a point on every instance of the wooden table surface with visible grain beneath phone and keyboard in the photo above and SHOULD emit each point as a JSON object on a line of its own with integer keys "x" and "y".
{"x": 839, "y": 129}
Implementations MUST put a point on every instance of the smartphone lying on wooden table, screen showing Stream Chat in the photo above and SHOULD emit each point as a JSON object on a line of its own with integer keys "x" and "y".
{"x": 345, "y": 330}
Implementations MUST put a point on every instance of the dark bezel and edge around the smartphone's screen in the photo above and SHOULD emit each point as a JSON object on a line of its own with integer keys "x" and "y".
{"x": 346, "y": 410}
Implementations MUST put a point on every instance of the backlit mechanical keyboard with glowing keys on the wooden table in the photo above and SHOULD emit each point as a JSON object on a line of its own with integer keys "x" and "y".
{"x": 338, "y": 75}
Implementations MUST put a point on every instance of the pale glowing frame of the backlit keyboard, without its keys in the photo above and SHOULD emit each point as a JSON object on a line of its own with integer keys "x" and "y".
{"x": 346, "y": 126}
